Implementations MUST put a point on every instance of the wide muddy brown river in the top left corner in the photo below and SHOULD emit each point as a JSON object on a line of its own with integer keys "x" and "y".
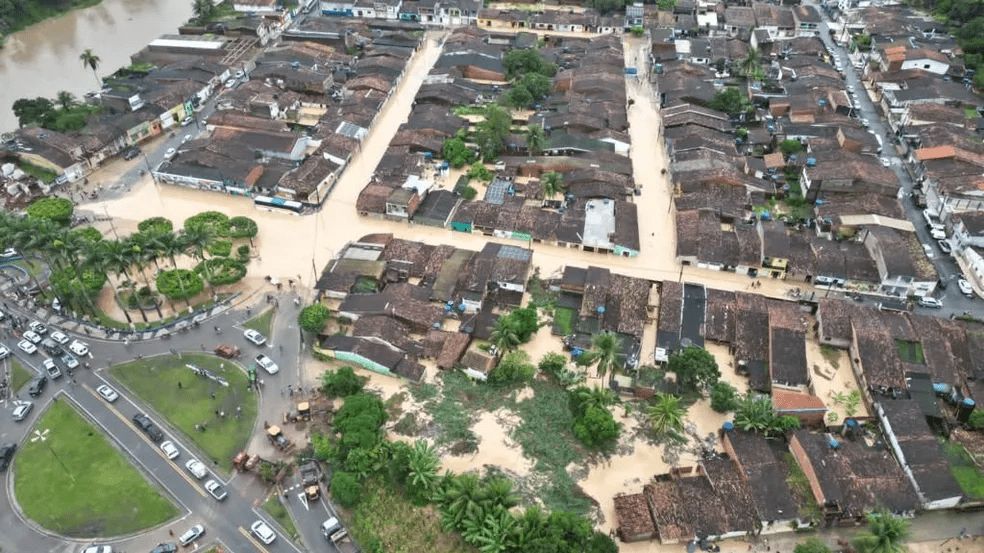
{"x": 44, "y": 58}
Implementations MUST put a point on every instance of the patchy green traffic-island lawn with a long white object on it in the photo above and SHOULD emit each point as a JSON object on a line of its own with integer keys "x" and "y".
{"x": 156, "y": 380}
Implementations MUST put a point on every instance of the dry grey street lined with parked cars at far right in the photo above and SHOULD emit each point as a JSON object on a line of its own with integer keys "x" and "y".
{"x": 954, "y": 303}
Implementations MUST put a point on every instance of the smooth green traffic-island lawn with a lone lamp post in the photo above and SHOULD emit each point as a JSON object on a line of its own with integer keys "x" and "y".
{"x": 76, "y": 484}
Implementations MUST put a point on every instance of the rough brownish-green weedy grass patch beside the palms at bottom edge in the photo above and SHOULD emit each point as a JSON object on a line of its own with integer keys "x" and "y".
{"x": 384, "y": 520}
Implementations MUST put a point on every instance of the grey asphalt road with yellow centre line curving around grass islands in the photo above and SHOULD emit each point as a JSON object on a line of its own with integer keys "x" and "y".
{"x": 226, "y": 522}
